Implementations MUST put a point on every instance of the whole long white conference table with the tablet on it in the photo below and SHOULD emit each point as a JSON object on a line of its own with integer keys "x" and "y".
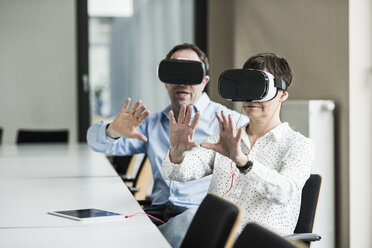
{"x": 29, "y": 189}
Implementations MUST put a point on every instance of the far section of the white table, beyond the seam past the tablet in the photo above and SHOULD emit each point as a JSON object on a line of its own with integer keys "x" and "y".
{"x": 40, "y": 161}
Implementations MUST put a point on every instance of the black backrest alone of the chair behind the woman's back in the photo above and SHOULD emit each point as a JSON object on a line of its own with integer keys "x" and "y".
{"x": 309, "y": 202}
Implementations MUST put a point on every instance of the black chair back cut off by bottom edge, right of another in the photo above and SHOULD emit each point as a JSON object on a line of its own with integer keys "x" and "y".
{"x": 256, "y": 236}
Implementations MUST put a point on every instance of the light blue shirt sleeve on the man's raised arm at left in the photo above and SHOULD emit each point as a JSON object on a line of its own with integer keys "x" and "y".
{"x": 98, "y": 141}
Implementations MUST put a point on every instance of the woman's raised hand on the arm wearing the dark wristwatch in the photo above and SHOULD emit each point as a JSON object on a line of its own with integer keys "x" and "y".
{"x": 229, "y": 143}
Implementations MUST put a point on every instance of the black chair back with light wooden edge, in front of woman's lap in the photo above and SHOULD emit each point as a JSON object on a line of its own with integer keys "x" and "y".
{"x": 214, "y": 224}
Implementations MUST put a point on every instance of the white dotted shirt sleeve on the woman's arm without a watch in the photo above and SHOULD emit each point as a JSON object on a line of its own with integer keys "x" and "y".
{"x": 197, "y": 163}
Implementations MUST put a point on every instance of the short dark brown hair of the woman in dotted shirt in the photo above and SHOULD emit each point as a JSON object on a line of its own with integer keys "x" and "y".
{"x": 272, "y": 63}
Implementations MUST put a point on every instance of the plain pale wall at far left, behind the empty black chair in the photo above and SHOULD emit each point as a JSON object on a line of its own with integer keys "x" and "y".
{"x": 37, "y": 66}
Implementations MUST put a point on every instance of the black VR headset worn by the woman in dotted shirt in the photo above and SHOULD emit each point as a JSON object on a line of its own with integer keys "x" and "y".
{"x": 243, "y": 85}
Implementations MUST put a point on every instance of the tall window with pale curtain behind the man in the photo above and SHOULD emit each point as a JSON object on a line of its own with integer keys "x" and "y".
{"x": 127, "y": 40}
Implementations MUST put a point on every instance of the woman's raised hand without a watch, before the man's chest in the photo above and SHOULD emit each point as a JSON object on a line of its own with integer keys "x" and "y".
{"x": 181, "y": 133}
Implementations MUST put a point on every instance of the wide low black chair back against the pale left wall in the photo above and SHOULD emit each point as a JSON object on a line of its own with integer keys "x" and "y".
{"x": 42, "y": 136}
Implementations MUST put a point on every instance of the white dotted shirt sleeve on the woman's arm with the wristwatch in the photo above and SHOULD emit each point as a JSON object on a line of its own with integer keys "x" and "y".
{"x": 284, "y": 185}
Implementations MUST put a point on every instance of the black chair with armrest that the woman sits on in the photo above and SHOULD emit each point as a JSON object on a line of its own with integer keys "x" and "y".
{"x": 309, "y": 203}
